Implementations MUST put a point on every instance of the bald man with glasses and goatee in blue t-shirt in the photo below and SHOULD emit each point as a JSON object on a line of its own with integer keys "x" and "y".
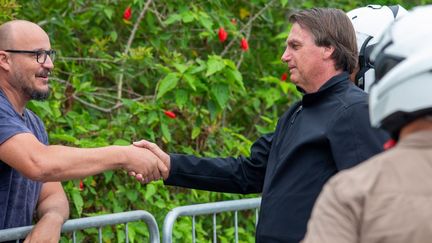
{"x": 30, "y": 169}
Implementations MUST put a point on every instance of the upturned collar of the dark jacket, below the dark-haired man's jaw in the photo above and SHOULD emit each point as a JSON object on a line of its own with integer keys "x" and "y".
{"x": 328, "y": 87}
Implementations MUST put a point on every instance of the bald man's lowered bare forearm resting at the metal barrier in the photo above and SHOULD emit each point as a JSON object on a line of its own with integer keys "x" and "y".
{"x": 53, "y": 211}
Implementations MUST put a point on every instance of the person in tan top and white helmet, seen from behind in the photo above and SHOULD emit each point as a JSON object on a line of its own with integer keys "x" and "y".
{"x": 388, "y": 198}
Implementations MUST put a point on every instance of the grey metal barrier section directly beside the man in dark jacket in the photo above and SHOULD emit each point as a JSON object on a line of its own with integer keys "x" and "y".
{"x": 209, "y": 208}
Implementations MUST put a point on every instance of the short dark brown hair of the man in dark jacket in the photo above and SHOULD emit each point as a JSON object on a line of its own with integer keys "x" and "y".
{"x": 331, "y": 27}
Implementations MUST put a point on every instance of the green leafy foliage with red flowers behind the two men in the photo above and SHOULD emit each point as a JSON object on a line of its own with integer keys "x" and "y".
{"x": 115, "y": 78}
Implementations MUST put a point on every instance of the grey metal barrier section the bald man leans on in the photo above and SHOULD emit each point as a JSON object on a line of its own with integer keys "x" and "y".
{"x": 93, "y": 222}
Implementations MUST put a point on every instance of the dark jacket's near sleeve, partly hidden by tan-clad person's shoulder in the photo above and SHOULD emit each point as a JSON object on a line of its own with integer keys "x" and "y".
{"x": 352, "y": 139}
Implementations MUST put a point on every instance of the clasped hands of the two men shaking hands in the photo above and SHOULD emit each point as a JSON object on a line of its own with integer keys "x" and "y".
{"x": 148, "y": 164}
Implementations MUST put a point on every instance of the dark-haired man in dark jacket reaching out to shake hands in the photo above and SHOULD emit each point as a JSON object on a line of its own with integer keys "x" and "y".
{"x": 327, "y": 131}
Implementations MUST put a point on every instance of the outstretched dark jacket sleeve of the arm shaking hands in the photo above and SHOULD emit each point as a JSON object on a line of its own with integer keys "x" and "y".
{"x": 236, "y": 175}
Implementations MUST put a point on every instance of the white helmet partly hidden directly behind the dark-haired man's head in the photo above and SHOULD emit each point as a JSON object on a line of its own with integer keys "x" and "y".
{"x": 369, "y": 23}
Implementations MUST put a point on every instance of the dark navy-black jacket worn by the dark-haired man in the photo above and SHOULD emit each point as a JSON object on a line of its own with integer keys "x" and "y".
{"x": 325, "y": 132}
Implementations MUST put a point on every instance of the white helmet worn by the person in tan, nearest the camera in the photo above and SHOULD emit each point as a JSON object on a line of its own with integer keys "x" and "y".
{"x": 402, "y": 90}
